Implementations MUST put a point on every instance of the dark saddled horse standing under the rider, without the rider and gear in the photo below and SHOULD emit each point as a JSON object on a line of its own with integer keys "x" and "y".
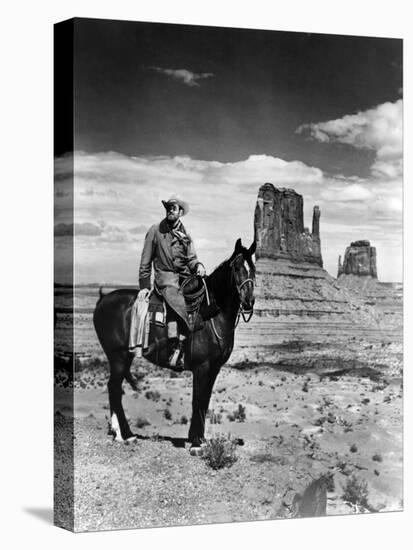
{"x": 231, "y": 287}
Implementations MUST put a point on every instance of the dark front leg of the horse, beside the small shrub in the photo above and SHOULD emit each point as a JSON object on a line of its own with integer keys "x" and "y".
{"x": 203, "y": 380}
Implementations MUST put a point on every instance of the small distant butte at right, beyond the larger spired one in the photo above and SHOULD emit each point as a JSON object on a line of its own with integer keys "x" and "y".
{"x": 359, "y": 259}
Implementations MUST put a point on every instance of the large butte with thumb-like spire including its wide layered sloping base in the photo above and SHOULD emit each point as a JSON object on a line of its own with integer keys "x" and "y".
{"x": 295, "y": 297}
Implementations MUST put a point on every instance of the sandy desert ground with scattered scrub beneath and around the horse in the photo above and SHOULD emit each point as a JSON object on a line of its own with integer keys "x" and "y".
{"x": 301, "y": 401}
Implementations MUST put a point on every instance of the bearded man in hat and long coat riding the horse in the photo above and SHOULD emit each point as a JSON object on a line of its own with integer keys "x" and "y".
{"x": 170, "y": 249}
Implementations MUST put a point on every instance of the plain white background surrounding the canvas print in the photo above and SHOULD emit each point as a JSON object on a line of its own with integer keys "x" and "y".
{"x": 28, "y": 268}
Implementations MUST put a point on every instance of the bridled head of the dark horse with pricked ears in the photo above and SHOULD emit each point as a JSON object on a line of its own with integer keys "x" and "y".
{"x": 243, "y": 270}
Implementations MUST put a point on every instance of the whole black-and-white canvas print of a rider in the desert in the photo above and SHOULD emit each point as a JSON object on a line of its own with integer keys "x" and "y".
{"x": 228, "y": 281}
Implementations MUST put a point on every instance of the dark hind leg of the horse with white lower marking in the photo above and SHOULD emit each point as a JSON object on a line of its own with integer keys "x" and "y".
{"x": 119, "y": 367}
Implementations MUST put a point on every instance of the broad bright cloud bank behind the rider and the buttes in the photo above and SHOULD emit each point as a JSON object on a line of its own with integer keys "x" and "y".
{"x": 121, "y": 197}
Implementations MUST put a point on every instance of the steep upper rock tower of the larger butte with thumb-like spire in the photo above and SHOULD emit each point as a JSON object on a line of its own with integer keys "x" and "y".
{"x": 279, "y": 227}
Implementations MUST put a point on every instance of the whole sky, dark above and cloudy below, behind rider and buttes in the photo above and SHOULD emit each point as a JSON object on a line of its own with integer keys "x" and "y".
{"x": 212, "y": 114}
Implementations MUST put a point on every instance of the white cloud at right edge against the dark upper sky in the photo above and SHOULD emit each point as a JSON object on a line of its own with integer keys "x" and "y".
{"x": 378, "y": 129}
